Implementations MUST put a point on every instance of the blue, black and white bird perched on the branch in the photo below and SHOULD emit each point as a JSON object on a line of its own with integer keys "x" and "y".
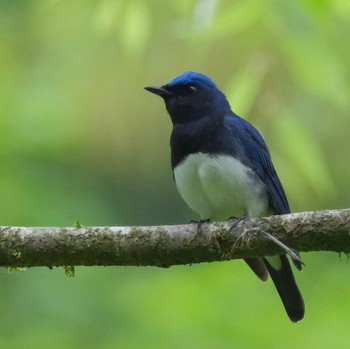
{"x": 222, "y": 168}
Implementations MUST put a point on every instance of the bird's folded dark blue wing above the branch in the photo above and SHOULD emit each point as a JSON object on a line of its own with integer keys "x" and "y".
{"x": 257, "y": 156}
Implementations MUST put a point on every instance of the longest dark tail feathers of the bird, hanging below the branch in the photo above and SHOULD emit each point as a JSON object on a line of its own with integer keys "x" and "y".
{"x": 287, "y": 288}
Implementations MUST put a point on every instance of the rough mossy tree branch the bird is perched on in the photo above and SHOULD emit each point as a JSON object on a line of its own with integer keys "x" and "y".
{"x": 164, "y": 246}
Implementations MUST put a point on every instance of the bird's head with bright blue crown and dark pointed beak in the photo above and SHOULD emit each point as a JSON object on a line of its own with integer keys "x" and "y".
{"x": 191, "y": 96}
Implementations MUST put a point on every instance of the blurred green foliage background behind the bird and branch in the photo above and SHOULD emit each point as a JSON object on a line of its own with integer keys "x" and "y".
{"x": 81, "y": 139}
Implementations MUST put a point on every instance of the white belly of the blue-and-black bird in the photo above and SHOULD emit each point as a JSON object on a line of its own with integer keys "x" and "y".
{"x": 219, "y": 187}
